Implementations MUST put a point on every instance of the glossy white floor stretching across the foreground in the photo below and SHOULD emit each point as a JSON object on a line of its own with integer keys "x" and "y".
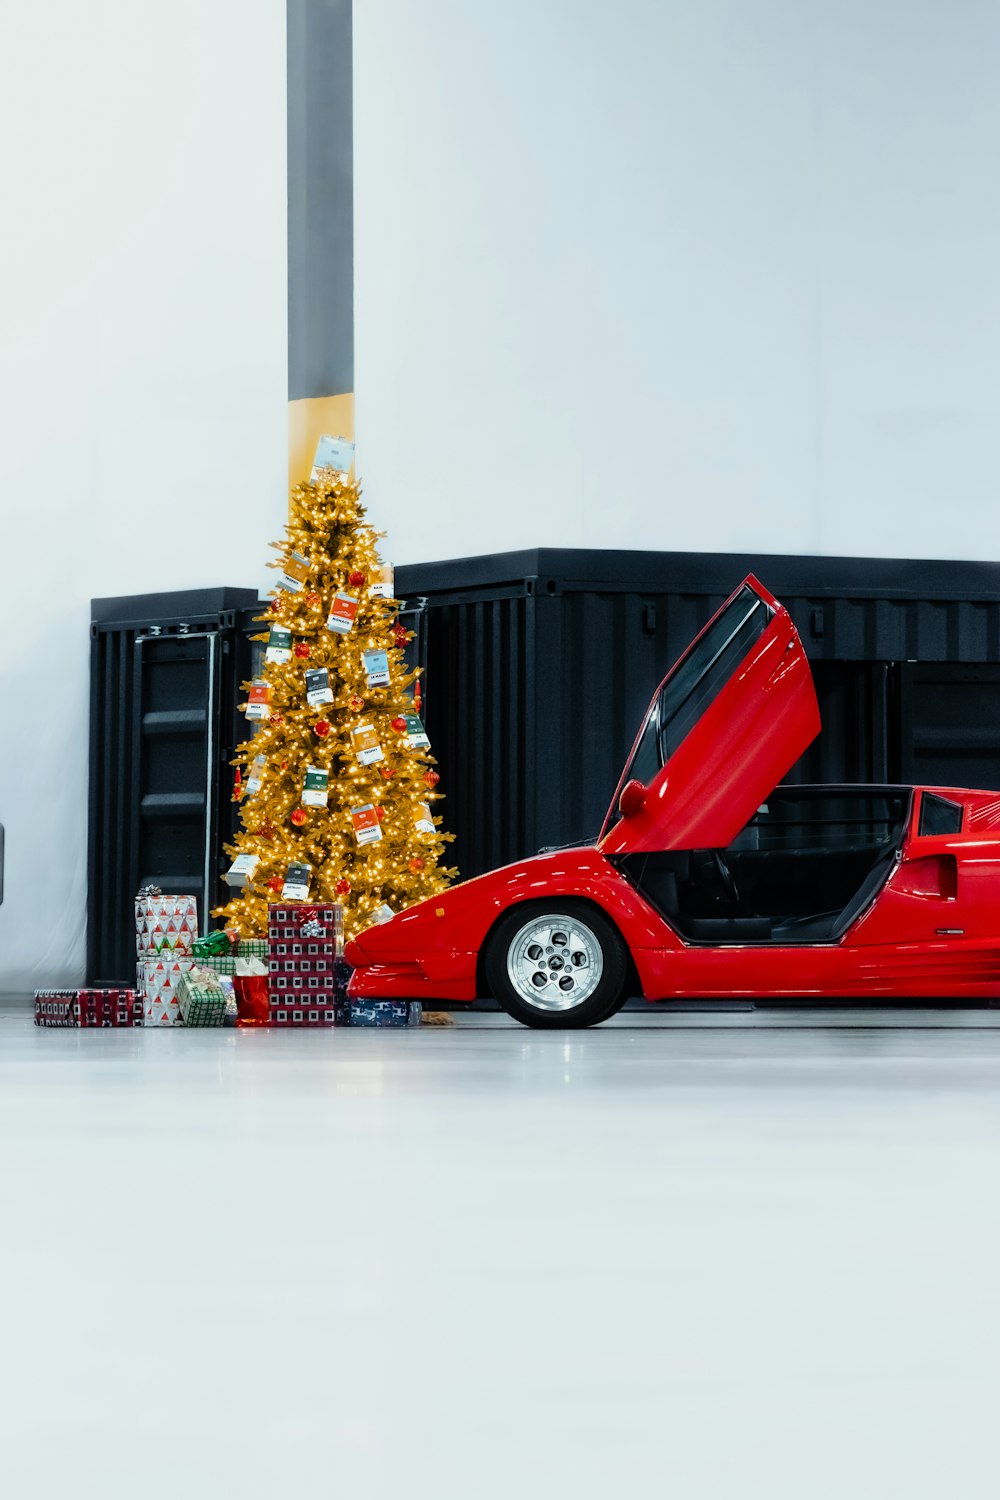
{"x": 684, "y": 1258}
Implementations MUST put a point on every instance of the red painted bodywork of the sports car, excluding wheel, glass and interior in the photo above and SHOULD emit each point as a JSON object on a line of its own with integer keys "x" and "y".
{"x": 930, "y": 929}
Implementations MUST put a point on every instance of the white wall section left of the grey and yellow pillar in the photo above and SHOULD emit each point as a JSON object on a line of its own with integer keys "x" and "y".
{"x": 143, "y": 377}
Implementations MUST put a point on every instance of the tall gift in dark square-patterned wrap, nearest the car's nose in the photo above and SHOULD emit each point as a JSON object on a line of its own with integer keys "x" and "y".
{"x": 304, "y": 947}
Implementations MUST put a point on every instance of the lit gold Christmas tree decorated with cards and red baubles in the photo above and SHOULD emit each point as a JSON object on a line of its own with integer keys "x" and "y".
{"x": 338, "y": 776}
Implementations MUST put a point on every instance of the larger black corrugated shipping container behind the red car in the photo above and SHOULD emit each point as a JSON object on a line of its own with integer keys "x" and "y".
{"x": 540, "y": 667}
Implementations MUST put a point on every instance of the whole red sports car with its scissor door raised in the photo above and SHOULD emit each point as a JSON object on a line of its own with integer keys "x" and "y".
{"x": 710, "y": 878}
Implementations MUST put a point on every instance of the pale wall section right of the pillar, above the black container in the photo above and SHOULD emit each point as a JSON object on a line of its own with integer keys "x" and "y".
{"x": 680, "y": 274}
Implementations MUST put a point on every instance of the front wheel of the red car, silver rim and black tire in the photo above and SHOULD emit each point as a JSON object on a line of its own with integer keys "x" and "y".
{"x": 587, "y": 934}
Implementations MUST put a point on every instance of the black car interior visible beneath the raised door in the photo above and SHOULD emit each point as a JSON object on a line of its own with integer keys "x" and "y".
{"x": 803, "y": 871}
